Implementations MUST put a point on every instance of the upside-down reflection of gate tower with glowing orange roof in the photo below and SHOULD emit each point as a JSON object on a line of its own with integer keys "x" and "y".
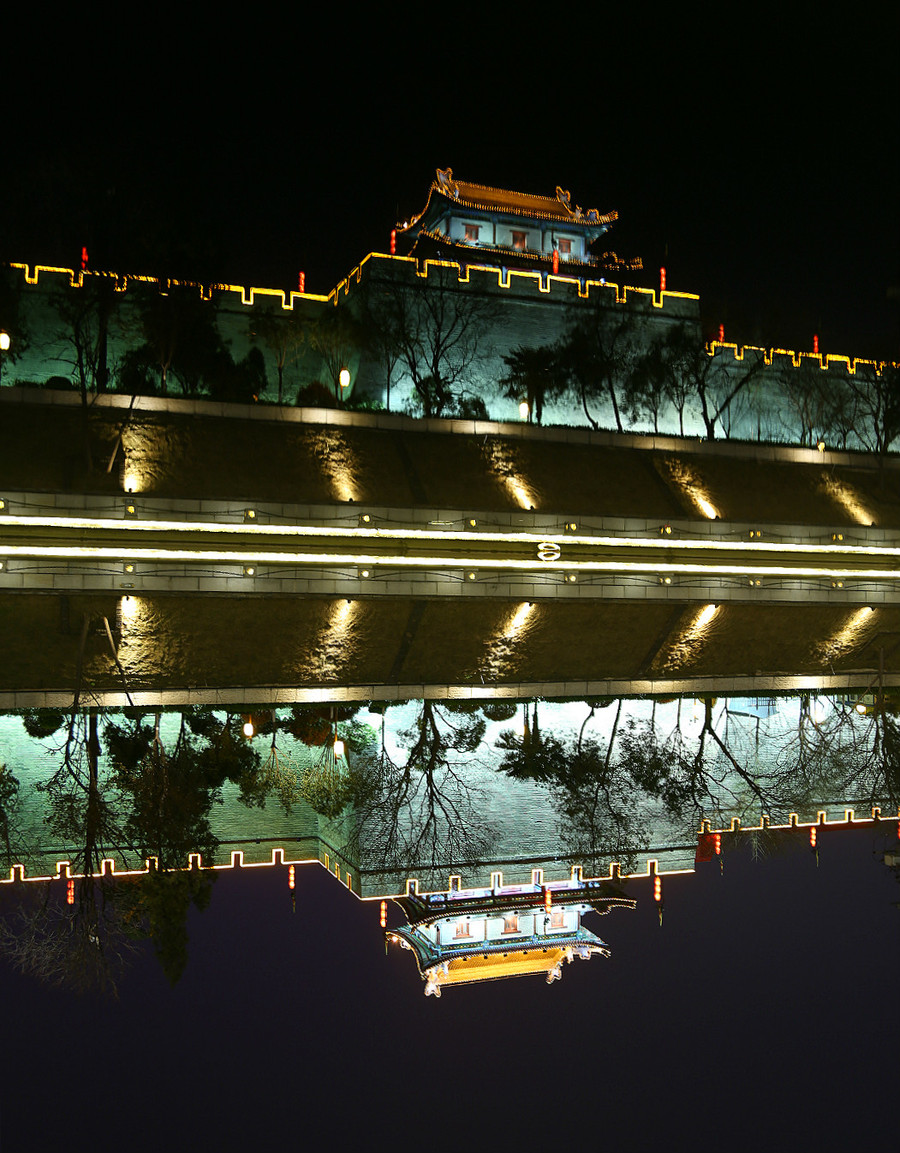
{"x": 467, "y": 936}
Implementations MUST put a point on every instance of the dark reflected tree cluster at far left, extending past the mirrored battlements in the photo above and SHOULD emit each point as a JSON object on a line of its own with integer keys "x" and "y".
{"x": 154, "y": 803}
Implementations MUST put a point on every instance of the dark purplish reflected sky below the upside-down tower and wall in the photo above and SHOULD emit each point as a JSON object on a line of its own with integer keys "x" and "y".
{"x": 765, "y": 1009}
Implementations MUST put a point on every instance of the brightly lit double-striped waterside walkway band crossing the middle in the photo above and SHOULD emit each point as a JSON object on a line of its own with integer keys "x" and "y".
{"x": 179, "y": 547}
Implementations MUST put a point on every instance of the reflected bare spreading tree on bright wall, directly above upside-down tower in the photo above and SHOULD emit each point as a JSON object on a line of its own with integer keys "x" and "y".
{"x": 420, "y": 810}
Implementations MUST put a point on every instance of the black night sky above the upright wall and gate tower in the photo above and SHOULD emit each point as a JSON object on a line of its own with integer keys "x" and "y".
{"x": 757, "y": 159}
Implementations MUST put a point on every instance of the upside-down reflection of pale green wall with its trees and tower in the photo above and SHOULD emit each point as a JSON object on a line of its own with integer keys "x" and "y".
{"x": 116, "y": 824}
